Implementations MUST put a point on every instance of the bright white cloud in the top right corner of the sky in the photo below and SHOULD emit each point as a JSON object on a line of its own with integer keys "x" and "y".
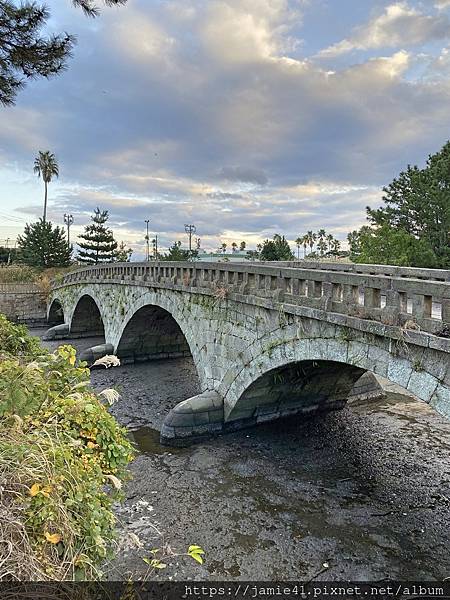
{"x": 398, "y": 26}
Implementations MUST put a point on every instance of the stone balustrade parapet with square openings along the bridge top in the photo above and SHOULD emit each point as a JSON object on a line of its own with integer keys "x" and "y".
{"x": 421, "y": 296}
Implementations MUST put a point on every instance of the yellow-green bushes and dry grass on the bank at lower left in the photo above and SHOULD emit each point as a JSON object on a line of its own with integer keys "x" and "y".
{"x": 63, "y": 458}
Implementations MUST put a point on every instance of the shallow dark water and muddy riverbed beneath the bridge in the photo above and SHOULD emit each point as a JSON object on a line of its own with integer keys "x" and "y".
{"x": 365, "y": 490}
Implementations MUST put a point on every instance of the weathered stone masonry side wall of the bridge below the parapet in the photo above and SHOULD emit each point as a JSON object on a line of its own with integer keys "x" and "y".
{"x": 236, "y": 340}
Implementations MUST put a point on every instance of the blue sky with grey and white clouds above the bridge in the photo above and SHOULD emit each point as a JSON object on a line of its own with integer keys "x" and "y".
{"x": 244, "y": 117}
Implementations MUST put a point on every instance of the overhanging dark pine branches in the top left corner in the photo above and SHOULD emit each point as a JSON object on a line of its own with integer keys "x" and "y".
{"x": 25, "y": 51}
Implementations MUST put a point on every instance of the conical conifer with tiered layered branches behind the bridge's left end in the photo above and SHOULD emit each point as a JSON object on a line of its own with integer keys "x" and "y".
{"x": 99, "y": 244}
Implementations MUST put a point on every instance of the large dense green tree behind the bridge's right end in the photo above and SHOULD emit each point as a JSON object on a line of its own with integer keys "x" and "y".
{"x": 415, "y": 218}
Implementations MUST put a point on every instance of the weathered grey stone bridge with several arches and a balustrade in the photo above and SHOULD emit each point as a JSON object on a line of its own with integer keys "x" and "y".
{"x": 268, "y": 340}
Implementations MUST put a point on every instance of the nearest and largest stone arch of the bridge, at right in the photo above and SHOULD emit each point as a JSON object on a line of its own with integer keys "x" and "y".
{"x": 330, "y": 366}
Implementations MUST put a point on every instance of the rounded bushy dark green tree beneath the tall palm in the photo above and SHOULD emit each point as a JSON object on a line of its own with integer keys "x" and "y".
{"x": 44, "y": 246}
